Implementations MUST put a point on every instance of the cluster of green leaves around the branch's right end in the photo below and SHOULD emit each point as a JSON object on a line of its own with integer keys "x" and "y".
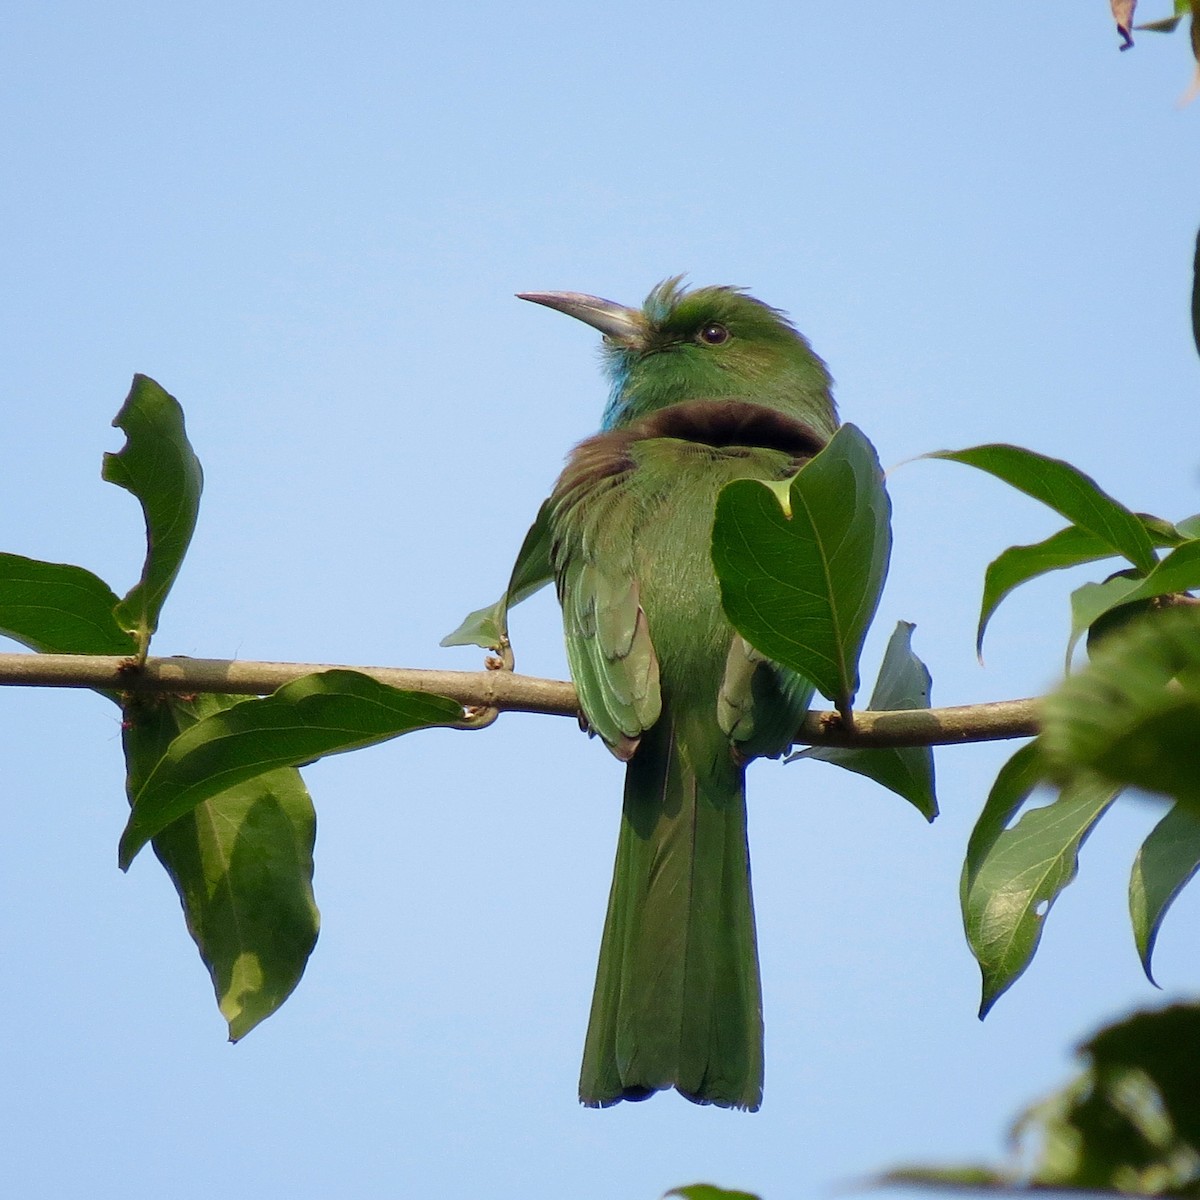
{"x": 1130, "y": 718}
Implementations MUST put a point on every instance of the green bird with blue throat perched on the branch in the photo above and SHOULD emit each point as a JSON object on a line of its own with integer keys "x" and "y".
{"x": 709, "y": 386}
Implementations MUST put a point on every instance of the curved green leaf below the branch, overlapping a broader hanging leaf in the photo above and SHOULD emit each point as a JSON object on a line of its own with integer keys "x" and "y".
{"x": 326, "y": 713}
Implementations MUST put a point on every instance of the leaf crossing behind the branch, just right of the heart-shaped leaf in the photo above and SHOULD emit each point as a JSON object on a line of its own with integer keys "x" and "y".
{"x": 904, "y": 683}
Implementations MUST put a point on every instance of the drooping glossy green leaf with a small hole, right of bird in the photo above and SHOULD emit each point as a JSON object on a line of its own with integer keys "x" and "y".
{"x": 1015, "y": 875}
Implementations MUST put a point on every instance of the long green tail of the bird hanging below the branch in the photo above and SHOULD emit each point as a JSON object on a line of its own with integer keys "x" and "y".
{"x": 677, "y": 1000}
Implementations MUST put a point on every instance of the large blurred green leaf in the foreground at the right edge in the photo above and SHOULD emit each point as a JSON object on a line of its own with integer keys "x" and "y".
{"x": 1133, "y": 713}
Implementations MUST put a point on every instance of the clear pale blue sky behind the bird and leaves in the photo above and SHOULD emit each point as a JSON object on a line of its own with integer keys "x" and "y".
{"x": 308, "y": 224}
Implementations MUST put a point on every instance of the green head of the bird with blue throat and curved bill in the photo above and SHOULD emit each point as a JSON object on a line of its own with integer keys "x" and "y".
{"x": 707, "y": 344}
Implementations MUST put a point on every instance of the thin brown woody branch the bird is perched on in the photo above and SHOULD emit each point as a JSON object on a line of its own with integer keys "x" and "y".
{"x": 502, "y": 691}
